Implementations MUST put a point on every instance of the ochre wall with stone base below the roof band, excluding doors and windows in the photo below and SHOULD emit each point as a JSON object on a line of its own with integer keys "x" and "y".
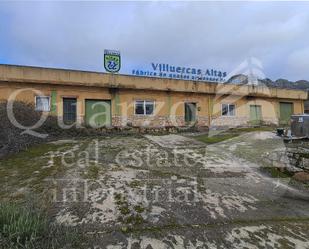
{"x": 169, "y": 105}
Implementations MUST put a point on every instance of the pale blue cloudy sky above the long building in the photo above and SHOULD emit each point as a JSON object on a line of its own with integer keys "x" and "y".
{"x": 272, "y": 37}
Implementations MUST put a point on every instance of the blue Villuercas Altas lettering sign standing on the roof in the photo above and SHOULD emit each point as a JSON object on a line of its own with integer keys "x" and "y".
{"x": 185, "y": 73}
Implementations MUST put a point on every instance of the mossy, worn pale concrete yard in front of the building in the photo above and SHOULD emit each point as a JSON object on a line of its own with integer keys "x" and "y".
{"x": 169, "y": 191}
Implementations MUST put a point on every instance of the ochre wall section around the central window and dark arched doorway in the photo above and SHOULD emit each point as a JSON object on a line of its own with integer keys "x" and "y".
{"x": 169, "y": 108}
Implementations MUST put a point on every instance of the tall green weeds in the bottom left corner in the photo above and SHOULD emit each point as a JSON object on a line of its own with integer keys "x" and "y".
{"x": 25, "y": 227}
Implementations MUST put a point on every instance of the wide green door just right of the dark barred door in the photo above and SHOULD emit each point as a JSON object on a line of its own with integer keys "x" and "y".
{"x": 98, "y": 113}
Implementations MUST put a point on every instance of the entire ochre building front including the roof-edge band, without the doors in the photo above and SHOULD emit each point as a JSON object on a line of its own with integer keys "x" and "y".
{"x": 168, "y": 97}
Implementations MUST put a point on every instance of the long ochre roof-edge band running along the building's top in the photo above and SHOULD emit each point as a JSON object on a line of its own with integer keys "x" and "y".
{"x": 58, "y": 76}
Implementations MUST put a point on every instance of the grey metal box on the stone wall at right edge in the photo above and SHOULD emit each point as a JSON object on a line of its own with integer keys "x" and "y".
{"x": 300, "y": 125}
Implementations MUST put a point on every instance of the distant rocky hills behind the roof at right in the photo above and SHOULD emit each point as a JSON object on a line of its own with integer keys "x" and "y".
{"x": 280, "y": 83}
